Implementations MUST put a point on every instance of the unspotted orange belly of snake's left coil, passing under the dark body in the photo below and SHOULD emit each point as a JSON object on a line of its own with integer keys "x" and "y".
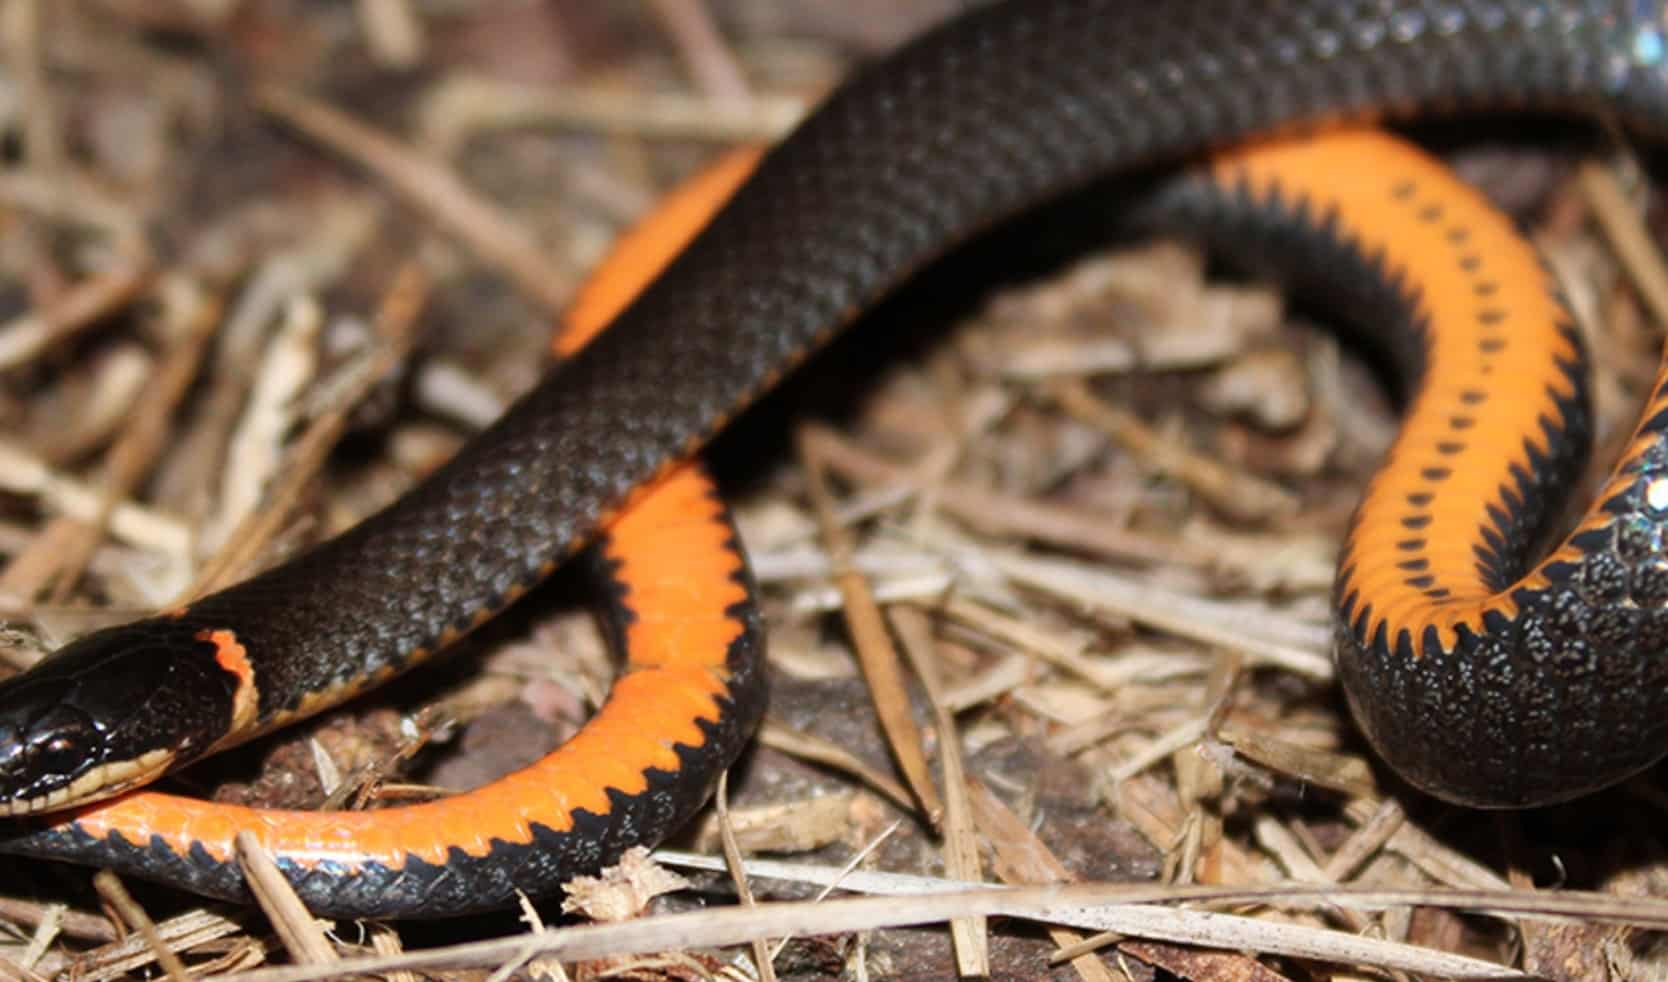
{"x": 681, "y": 578}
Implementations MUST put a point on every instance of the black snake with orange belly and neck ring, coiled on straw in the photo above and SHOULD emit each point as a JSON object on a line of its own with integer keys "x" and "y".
{"x": 1474, "y": 674}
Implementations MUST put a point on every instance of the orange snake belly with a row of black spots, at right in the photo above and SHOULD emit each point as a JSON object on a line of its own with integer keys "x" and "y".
{"x": 1495, "y": 343}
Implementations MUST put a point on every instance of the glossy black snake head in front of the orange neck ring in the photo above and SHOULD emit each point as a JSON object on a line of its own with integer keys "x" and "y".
{"x": 111, "y": 713}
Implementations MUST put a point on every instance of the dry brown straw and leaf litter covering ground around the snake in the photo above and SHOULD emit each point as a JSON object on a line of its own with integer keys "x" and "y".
{"x": 261, "y": 271}
